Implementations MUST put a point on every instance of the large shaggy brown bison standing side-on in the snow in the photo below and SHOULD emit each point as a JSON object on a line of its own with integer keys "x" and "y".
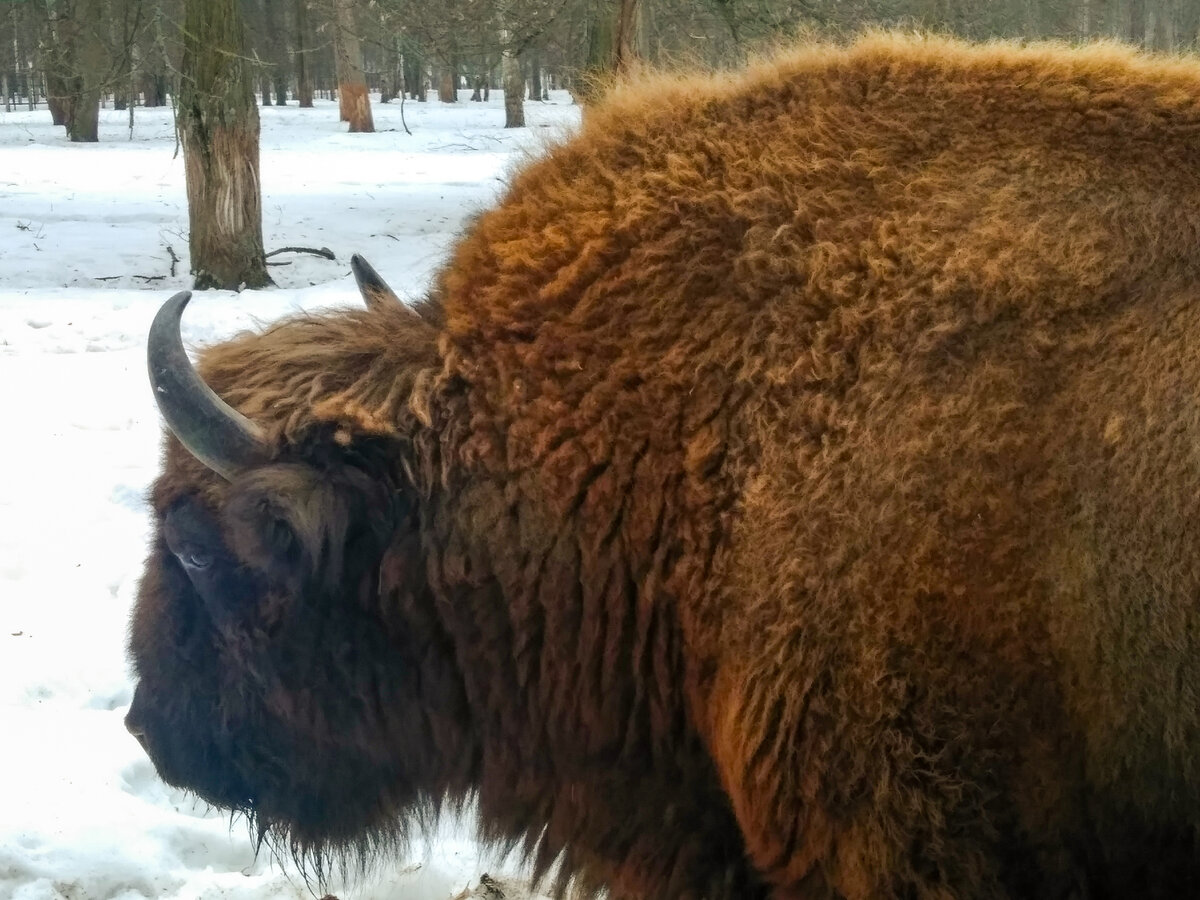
{"x": 791, "y": 489}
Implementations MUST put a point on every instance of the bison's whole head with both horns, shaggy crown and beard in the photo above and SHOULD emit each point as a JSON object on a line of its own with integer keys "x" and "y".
{"x": 281, "y": 639}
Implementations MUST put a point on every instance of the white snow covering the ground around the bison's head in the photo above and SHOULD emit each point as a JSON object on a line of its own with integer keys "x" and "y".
{"x": 82, "y": 814}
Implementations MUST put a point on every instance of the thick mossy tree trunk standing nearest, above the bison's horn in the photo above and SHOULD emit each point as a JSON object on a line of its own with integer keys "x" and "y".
{"x": 219, "y": 133}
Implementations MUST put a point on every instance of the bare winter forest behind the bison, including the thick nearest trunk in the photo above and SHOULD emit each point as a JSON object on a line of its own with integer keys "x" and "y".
{"x": 214, "y": 61}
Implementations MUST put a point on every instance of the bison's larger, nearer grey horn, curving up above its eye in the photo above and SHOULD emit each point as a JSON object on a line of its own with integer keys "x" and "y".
{"x": 211, "y": 430}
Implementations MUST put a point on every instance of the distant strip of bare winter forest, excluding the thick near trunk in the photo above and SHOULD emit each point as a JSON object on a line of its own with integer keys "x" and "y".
{"x": 77, "y": 56}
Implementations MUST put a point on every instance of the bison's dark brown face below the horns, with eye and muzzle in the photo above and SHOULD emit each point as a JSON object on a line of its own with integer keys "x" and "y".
{"x": 271, "y": 680}
